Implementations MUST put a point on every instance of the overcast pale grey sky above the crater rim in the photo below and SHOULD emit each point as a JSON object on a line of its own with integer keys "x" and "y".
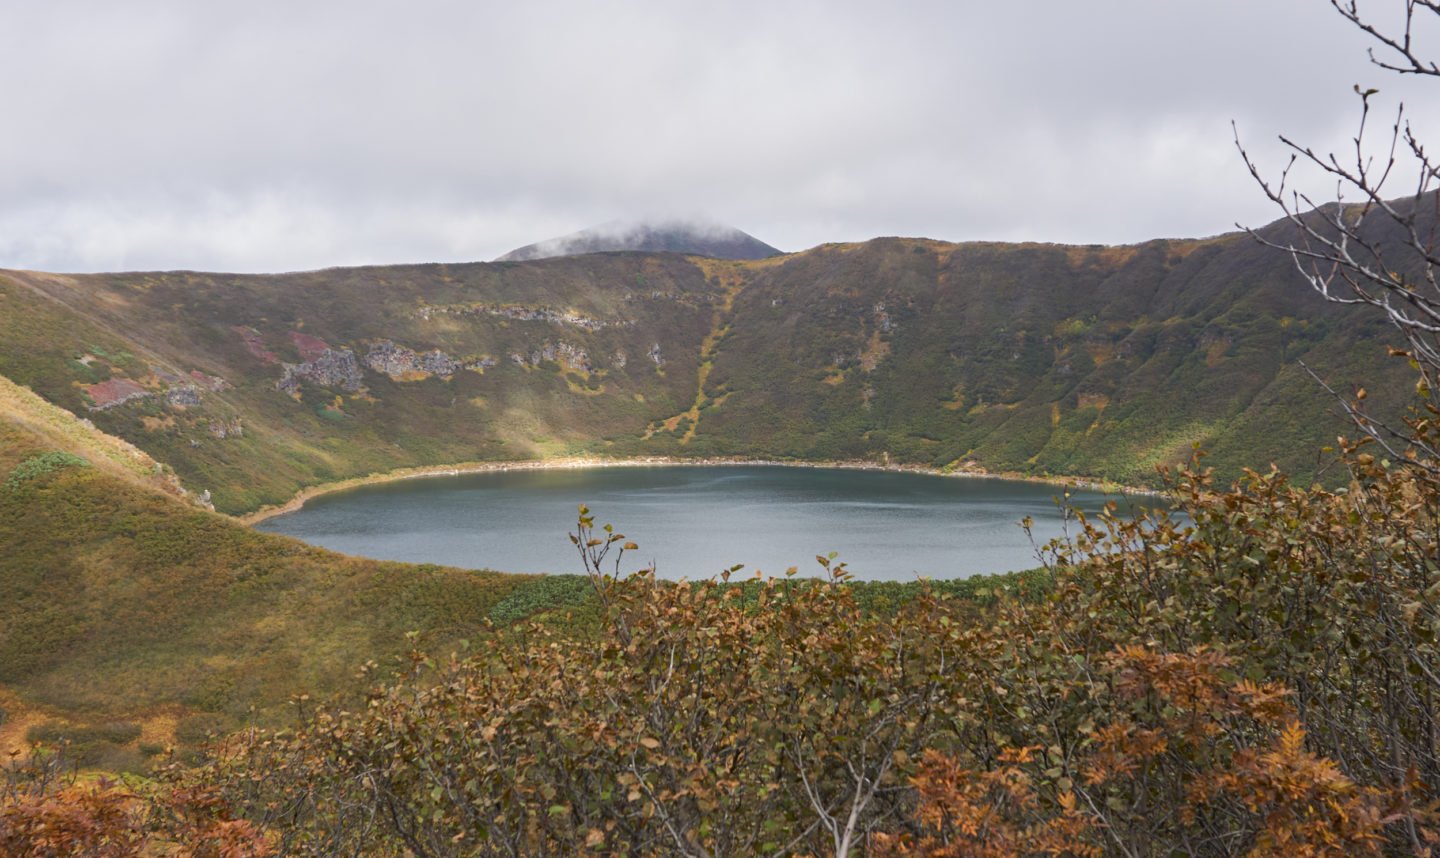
{"x": 286, "y": 136}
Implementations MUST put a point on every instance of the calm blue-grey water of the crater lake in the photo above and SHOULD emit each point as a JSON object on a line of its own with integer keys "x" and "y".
{"x": 693, "y": 522}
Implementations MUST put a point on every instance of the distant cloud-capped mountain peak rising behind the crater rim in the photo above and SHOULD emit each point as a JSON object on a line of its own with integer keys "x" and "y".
{"x": 665, "y": 237}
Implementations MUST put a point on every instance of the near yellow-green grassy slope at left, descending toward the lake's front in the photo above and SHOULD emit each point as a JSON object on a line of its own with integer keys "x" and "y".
{"x": 130, "y": 617}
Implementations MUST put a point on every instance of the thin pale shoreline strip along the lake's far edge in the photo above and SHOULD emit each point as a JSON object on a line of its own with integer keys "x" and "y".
{"x": 587, "y": 463}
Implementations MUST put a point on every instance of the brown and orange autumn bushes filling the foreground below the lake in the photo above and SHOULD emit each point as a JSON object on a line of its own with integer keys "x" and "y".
{"x": 1254, "y": 673}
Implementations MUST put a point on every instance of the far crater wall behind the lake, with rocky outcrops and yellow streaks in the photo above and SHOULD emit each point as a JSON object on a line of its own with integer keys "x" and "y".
{"x": 1042, "y": 359}
